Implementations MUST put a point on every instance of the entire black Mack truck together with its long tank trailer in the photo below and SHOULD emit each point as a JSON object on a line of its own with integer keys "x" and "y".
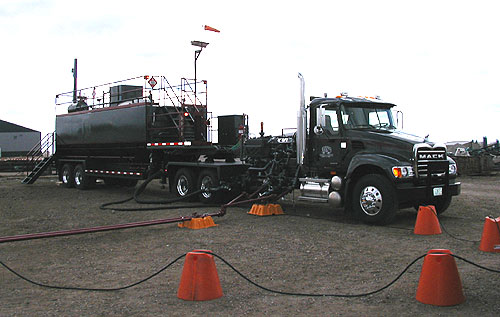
{"x": 346, "y": 151}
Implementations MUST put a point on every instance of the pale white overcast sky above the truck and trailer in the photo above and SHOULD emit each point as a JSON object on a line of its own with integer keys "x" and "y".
{"x": 439, "y": 61}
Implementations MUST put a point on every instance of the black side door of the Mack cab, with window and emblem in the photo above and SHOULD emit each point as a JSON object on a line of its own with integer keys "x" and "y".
{"x": 326, "y": 145}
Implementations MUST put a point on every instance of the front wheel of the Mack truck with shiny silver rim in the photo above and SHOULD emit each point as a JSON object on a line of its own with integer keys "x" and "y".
{"x": 374, "y": 199}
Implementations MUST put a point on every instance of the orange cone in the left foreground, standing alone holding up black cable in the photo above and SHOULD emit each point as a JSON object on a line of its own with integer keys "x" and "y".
{"x": 199, "y": 280}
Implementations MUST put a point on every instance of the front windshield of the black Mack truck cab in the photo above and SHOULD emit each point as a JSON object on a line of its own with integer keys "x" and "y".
{"x": 367, "y": 118}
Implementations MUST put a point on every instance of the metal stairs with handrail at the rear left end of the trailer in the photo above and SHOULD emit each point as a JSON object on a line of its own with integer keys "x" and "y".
{"x": 39, "y": 158}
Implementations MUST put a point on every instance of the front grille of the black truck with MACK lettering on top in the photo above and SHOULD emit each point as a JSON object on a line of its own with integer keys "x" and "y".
{"x": 430, "y": 160}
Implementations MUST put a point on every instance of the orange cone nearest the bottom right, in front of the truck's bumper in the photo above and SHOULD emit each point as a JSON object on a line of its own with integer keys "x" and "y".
{"x": 440, "y": 282}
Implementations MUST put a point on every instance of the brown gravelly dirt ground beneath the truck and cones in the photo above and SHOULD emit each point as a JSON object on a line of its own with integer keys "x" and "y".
{"x": 311, "y": 249}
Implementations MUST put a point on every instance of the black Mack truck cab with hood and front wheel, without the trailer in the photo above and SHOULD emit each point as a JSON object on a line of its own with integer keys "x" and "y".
{"x": 355, "y": 156}
